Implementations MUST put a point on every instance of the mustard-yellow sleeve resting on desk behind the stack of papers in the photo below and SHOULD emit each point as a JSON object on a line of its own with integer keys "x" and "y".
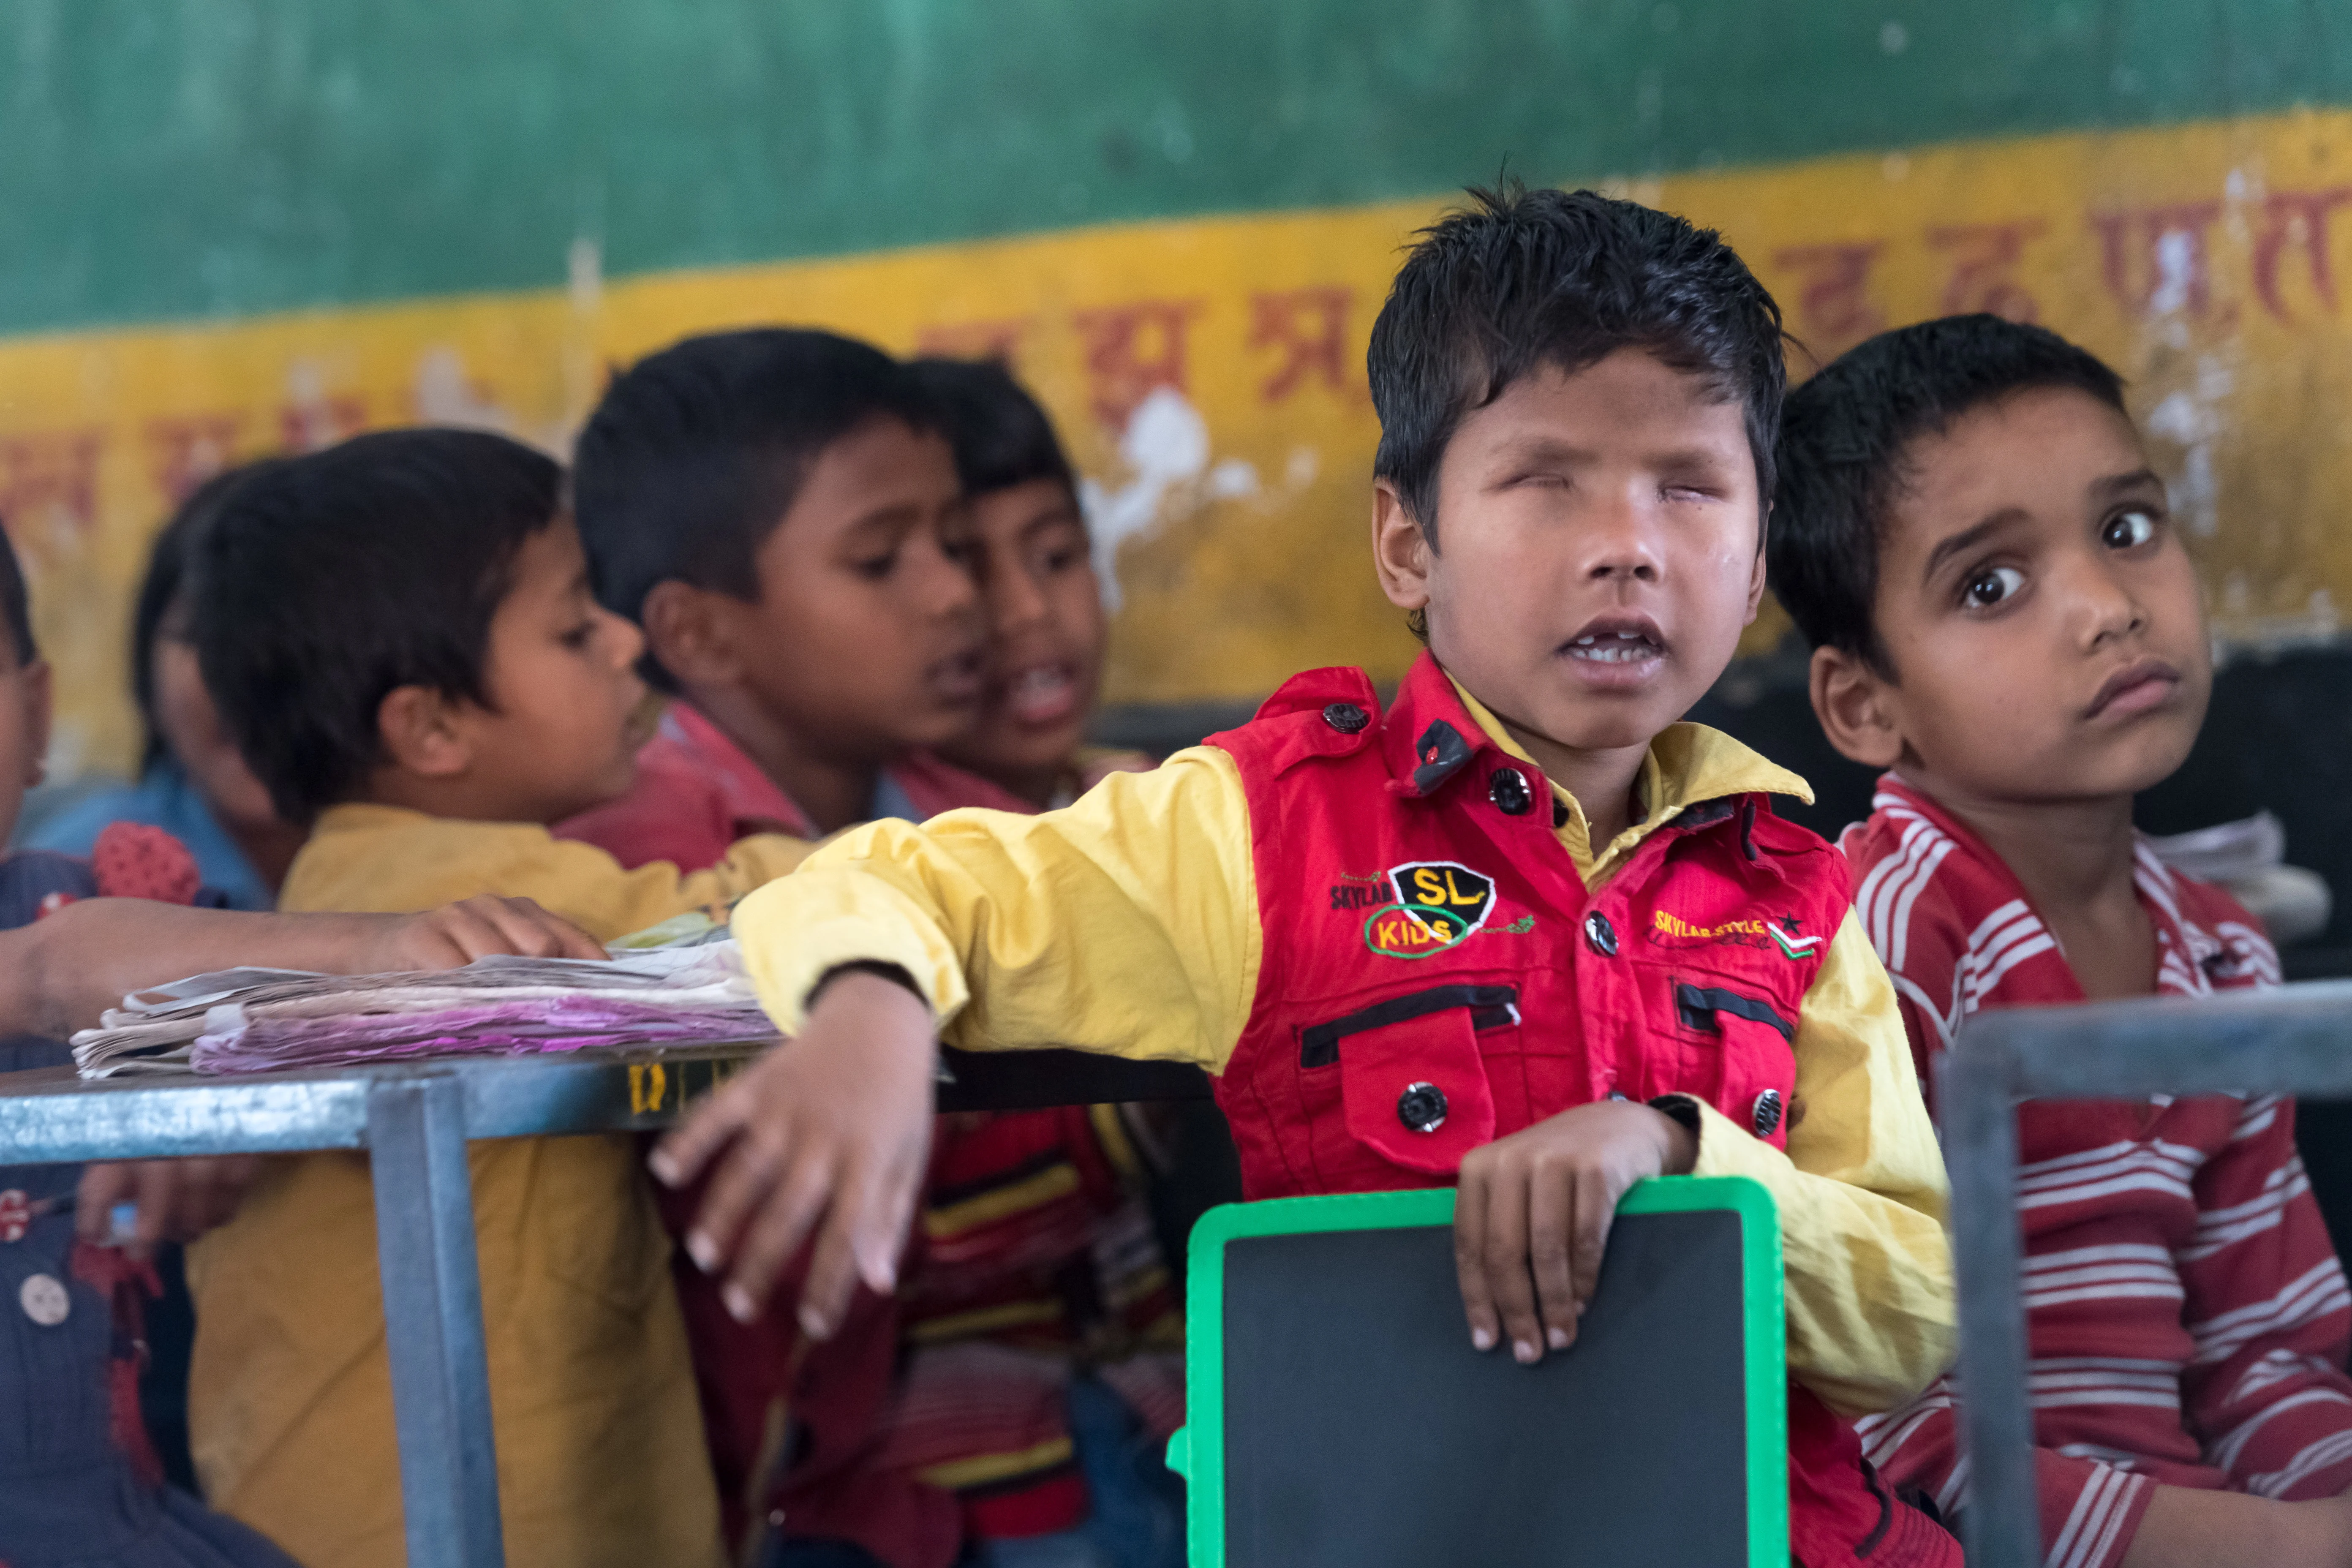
{"x": 394, "y": 864}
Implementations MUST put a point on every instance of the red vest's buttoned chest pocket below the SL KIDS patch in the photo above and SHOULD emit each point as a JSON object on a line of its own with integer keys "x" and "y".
{"x": 1412, "y": 1083}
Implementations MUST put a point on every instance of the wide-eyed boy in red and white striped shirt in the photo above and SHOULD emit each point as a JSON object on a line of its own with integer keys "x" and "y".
{"x": 2005, "y": 617}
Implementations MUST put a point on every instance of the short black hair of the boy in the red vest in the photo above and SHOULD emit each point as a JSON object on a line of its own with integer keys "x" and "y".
{"x": 1561, "y": 279}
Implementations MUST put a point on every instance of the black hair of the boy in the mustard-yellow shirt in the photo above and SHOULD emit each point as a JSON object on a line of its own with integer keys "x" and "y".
{"x": 328, "y": 582}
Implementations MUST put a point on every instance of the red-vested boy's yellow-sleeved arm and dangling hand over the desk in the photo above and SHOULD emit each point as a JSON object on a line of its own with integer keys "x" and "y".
{"x": 1123, "y": 925}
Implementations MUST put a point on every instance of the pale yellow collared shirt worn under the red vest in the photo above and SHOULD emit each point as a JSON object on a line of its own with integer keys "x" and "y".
{"x": 1130, "y": 925}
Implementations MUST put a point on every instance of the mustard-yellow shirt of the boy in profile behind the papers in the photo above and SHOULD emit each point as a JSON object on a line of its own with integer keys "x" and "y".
{"x": 601, "y": 1442}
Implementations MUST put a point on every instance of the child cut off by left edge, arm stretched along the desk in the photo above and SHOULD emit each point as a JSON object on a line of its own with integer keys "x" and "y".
{"x": 79, "y": 1475}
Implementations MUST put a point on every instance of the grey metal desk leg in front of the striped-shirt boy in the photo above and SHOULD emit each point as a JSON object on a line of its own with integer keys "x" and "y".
{"x": 2003, "y": 1525}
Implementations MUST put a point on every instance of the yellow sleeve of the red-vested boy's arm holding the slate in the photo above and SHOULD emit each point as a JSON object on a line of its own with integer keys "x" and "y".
{"x": 1862, "y": 1195}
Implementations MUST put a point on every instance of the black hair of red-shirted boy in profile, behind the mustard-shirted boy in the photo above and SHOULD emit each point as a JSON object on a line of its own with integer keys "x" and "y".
{"x": 697, "y": 453}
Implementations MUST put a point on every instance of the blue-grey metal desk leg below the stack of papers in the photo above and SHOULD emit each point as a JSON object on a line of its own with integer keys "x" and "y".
{"x": 434, "y": 1322}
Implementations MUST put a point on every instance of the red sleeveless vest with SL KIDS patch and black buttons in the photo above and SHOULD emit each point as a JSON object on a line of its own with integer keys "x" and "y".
{"x": 1438, "y": 977}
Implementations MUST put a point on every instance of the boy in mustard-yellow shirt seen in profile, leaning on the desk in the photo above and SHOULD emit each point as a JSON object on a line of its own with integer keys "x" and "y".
{"x": 403, "y": 643}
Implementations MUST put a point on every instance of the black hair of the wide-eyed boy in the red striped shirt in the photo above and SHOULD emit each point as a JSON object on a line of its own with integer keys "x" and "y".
{"x": 1843, "y": 455}
